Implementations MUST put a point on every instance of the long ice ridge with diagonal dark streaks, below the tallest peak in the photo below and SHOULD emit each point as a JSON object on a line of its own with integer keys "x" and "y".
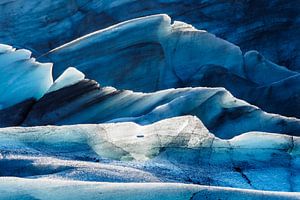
{"x": 87, "y": 102}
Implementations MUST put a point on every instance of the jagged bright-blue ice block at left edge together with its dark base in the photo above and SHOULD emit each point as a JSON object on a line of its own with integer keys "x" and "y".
{"x": 23, "y": 80}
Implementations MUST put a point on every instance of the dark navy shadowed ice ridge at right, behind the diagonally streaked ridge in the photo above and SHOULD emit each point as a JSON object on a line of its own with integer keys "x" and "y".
{"x": 280, "y": 97}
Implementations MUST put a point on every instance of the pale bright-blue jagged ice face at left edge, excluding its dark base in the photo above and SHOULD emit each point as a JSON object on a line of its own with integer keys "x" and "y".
{"x": 21, "y": 77}
